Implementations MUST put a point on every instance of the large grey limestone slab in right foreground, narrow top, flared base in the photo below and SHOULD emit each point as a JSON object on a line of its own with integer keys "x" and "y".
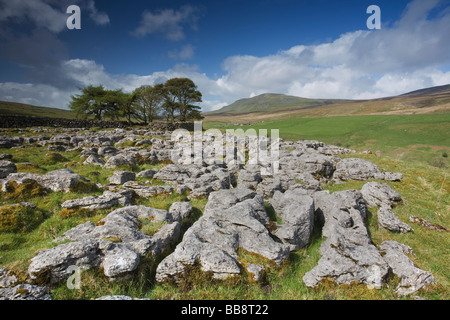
{"x": 348, "y": 254}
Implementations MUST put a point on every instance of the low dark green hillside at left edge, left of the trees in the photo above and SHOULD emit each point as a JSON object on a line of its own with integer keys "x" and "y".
{"x": 21, "y": 109}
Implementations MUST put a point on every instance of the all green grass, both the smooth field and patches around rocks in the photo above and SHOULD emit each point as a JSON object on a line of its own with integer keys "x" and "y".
{"x": 408, "y": 144}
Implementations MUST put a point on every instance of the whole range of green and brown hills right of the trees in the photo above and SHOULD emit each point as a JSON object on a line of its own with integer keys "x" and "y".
{"x": 277, "y": 106}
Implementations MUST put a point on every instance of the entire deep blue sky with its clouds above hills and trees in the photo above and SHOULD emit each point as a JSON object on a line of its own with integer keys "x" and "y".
{"x": 231, "y": 49}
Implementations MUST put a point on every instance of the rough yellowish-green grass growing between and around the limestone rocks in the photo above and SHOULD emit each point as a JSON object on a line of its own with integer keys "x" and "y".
{"x": 425, "y": 190}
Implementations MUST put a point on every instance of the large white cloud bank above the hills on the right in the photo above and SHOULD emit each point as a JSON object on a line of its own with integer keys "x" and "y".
{"x": 363, "y": 64}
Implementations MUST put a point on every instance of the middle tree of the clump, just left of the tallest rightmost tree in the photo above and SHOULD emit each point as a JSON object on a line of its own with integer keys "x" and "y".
{"x": 148, "y": 101}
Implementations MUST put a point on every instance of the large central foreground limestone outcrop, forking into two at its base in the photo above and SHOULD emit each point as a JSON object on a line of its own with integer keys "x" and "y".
{"x": 233, "y": 219}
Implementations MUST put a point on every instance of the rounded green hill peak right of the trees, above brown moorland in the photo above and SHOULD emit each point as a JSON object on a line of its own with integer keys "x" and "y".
{"x": 270, "y": 102}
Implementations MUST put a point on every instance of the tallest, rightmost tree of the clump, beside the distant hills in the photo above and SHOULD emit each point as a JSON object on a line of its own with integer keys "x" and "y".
{"x": 181, "y": 94}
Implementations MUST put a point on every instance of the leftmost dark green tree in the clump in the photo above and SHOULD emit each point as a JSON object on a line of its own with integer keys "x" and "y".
{"x": 90, "y": 102}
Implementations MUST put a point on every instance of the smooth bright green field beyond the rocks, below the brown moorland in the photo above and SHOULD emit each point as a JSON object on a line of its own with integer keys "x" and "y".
{"x": 422, "y": 138}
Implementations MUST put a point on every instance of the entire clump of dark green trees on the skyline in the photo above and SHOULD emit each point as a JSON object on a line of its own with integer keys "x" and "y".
{"x": 171, "y": 100}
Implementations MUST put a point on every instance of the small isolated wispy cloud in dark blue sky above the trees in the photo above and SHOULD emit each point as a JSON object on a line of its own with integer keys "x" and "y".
{"x": 168, "y": 22}
